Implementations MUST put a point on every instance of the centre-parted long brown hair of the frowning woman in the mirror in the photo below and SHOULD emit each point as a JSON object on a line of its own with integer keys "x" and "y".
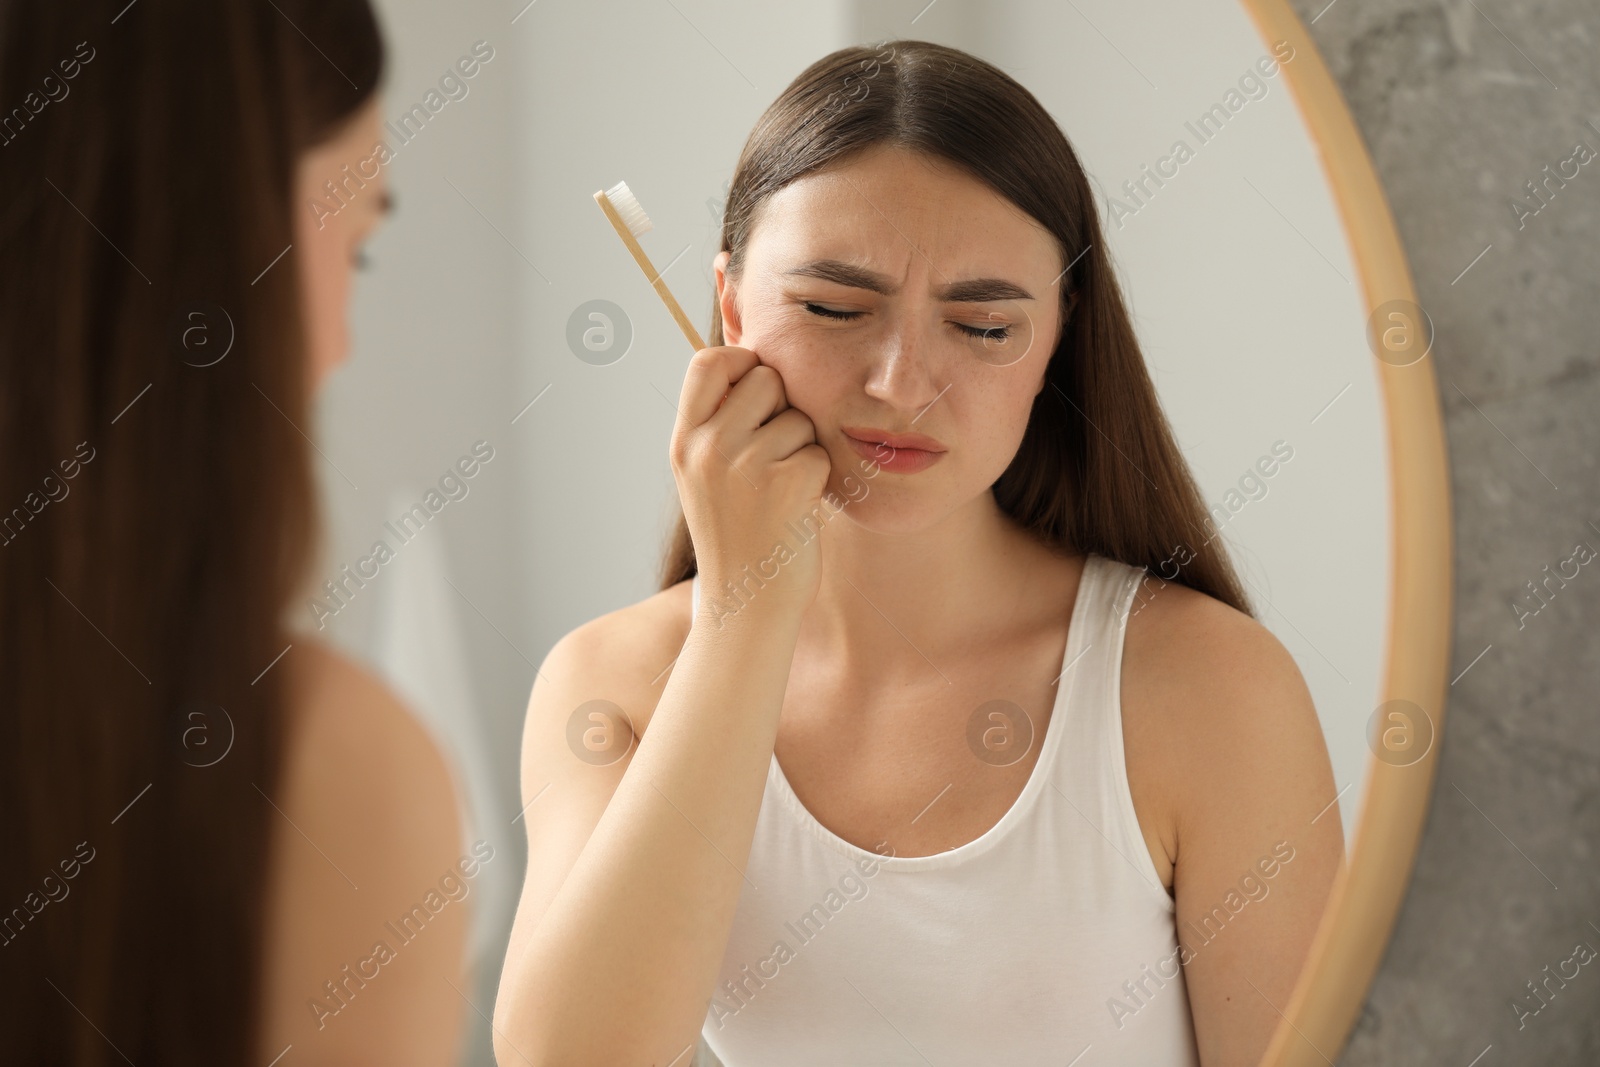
{"x": 1098, "y": 470}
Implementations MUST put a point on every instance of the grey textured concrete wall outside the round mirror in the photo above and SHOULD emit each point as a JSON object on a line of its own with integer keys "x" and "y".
{"x": 1462, "y": 105}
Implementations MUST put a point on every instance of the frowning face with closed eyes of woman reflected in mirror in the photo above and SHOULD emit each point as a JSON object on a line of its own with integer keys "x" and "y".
{"x": 900, "y": 295}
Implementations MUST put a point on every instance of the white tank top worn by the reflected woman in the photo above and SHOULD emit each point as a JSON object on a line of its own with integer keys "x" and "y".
{"x": 1049, "y": 940}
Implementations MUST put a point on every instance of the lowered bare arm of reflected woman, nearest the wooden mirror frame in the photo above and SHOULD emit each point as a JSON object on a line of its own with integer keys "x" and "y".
{"x": 1231, "y": 732}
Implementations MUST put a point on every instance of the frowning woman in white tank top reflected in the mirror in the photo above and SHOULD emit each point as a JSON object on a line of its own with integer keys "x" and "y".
{"x": 940, "y": 773}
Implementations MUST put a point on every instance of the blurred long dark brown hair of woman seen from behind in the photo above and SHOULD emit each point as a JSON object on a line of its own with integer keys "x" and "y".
{"x": 156, "y": 503}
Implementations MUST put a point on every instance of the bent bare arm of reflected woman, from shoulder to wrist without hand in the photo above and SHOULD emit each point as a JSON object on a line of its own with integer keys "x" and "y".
{"x": 636, "y": 868}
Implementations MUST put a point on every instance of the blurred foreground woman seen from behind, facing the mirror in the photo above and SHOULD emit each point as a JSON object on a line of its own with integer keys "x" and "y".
{"x": 209, "y": 818}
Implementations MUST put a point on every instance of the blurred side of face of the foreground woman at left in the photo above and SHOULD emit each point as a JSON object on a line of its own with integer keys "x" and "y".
{"x": 330, "y": 233}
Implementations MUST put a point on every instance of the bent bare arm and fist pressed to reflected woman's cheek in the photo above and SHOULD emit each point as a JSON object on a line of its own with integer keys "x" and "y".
{"x": 636, "y": 868}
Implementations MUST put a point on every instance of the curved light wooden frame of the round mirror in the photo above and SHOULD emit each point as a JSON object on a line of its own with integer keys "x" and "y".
{"x": 1367, "y": 895}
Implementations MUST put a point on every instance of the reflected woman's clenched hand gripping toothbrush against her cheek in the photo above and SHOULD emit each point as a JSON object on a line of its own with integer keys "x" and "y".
{"x": 746, "y": 466}
